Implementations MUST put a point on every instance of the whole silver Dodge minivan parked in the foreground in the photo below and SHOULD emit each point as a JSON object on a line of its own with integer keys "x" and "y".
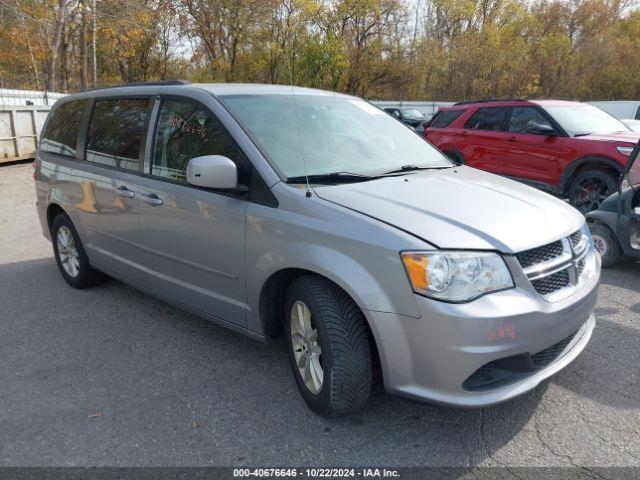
{"x": 280, "y": 211}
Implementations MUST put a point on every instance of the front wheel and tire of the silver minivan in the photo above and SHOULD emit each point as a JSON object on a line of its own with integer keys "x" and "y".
{"x": 328, "y": 345}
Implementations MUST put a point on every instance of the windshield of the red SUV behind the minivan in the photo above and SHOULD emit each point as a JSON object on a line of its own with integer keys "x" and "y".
{"x": 582, "y": 119}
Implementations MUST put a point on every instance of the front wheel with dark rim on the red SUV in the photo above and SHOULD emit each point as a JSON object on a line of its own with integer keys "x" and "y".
{"x": 590, "y": 187}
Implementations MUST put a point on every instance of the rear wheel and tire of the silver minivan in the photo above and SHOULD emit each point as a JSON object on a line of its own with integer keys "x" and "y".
{"x": 70, "y": 255}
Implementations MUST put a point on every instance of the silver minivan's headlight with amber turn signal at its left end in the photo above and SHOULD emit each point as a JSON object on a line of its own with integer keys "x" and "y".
{"x": 456, "y": 276}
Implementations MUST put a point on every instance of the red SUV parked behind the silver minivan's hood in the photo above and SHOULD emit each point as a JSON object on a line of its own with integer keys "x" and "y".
{"x": 570, "y": 149}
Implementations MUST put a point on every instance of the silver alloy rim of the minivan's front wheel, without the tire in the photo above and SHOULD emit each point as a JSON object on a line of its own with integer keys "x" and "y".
{"x": 306, "y": 347}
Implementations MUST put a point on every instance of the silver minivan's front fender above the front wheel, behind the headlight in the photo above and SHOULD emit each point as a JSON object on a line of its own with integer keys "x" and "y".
{"x": 358, "y": 253}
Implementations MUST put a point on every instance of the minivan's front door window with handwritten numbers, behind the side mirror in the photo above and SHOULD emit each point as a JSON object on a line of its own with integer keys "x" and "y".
{"x": 187, "y": 130}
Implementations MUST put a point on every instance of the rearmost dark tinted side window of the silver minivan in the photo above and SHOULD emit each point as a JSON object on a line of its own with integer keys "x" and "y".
{"x": 61, "y": 134}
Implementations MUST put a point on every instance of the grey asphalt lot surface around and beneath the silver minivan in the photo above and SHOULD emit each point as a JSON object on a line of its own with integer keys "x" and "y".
{"x": 114, "y": 377}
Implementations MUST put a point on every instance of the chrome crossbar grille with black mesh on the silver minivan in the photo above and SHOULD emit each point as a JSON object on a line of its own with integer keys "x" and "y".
{"x": 557, "y": 265}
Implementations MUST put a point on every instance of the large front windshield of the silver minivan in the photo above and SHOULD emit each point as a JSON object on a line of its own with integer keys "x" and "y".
{"x": 337, "y": 134}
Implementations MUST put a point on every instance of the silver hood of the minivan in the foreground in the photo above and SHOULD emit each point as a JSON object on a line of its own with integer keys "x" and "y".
{"x": 461, "y": 208}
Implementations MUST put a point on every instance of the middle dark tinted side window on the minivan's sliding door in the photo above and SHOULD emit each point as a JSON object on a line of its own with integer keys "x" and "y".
{"x": 116, "y": 132}
